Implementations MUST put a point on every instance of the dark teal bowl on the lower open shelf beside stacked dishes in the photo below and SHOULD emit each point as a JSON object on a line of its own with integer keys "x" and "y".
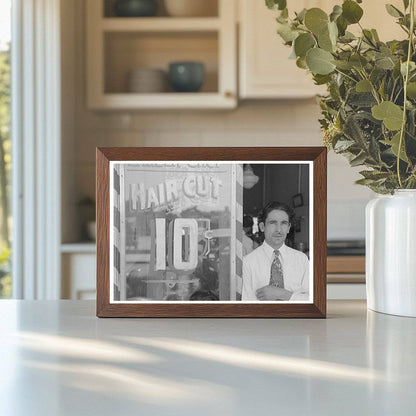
{"x": 186, "y": 76}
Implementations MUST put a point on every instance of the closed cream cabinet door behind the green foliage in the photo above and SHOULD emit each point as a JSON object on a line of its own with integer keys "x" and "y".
{"x": 265, "y": 70}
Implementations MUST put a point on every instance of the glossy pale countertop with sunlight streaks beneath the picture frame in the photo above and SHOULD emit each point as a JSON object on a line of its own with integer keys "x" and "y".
{"x": 57, "y": 358}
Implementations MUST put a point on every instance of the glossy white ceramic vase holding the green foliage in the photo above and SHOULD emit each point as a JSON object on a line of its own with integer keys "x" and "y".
{"x": 391, "y": 253}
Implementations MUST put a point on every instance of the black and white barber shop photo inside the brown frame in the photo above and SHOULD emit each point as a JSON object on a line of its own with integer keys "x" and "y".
{"x": 211, "y": 232}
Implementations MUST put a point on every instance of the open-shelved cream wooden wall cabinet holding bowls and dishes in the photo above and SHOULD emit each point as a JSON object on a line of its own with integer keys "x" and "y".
{"x": 118, "y": 45}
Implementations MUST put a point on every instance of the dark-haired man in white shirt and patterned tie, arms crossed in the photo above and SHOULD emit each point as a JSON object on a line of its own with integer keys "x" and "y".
{"x": 274, "y": 271}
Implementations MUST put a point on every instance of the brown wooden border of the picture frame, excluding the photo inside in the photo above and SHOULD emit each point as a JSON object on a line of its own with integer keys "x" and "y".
{"x": 317, "y": 309}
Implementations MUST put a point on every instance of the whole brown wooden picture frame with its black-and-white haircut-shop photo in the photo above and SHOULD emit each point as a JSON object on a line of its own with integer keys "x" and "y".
{"x": 211, "y": 232}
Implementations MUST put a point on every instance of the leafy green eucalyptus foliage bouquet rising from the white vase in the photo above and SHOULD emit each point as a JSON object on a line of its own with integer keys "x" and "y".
{"x": 369, "y": 113}
